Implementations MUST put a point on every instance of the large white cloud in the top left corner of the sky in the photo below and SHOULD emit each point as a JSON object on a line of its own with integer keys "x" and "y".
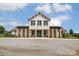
{"x": 11, "y": 6}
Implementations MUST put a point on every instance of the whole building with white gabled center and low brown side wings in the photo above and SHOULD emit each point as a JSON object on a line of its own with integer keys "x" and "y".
{"x": 38, "y": 26}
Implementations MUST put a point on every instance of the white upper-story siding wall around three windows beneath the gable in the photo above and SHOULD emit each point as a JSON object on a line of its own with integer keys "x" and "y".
{"x": 38, "y": 17}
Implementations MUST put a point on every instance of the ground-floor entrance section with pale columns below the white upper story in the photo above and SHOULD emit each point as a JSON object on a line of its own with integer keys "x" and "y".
{"x": 38, "y": 33}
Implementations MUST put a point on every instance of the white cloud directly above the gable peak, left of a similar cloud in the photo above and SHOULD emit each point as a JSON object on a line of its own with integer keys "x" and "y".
{"x": 46, "y": 8}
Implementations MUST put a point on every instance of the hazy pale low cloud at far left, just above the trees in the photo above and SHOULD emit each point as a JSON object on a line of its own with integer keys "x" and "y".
{"x": 9, "y": 23}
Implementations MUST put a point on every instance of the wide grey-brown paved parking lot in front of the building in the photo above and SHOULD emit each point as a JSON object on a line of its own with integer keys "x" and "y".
{"x": 39, "y": 47}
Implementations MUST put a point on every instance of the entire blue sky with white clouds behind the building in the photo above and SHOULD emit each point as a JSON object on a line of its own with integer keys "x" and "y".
{"x": 61, "y": 14}
